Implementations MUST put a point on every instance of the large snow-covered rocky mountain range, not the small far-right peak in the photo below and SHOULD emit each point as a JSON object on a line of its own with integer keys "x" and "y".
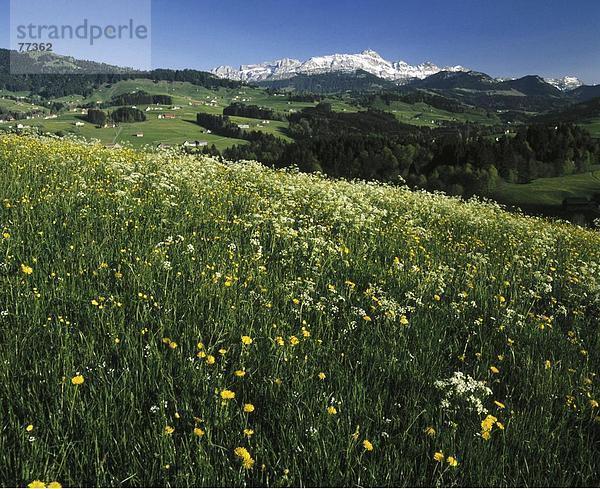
{"x": 368, "y": 61}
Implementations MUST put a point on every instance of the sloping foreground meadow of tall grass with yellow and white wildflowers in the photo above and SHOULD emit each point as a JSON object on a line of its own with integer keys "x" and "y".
{"x": 172, "y": 320}
